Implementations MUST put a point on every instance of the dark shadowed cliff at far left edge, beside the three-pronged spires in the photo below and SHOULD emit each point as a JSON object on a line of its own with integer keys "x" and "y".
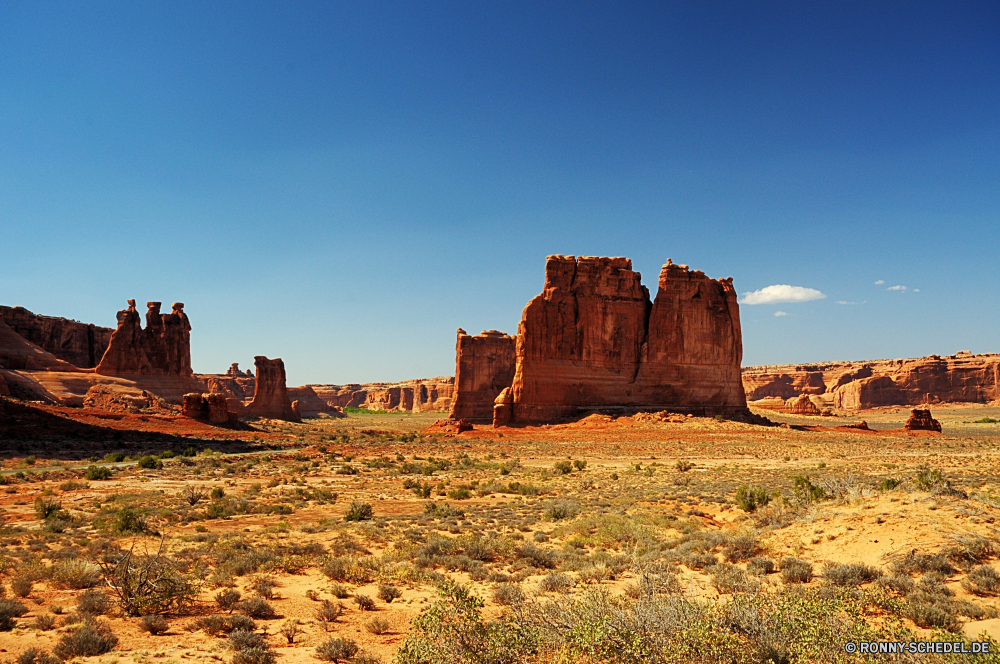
{"x": 80, "y": 344}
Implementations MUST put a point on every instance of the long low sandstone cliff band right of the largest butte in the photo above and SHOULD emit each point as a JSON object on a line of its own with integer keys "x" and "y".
{"x": 962, "y": 377}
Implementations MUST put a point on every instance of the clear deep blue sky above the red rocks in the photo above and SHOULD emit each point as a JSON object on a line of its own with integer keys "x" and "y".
{"x": 344, "y": 184}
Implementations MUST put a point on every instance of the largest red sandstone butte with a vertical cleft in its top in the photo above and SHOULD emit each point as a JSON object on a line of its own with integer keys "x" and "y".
{"x": 593, "y": 341}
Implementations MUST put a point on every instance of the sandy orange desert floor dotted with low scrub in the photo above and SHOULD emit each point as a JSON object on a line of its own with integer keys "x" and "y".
{"x": 522, "y": 516}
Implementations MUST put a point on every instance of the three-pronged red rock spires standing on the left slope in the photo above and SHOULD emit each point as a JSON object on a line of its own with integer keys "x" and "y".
{"x": 162, "y": 349}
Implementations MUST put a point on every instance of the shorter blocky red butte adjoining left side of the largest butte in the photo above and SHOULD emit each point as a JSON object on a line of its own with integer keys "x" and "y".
{"x": 484, "y": 366}
